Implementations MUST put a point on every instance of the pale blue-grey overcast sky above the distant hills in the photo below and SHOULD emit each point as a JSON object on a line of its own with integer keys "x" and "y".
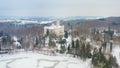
{"x": 60, "y": 8}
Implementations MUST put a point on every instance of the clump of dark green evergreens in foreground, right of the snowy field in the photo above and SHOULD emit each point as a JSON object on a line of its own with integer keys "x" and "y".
{"x": 100, "y": 61}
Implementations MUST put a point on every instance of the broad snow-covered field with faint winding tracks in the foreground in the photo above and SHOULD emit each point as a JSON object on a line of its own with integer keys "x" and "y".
{"x": 35, "y": 60}
